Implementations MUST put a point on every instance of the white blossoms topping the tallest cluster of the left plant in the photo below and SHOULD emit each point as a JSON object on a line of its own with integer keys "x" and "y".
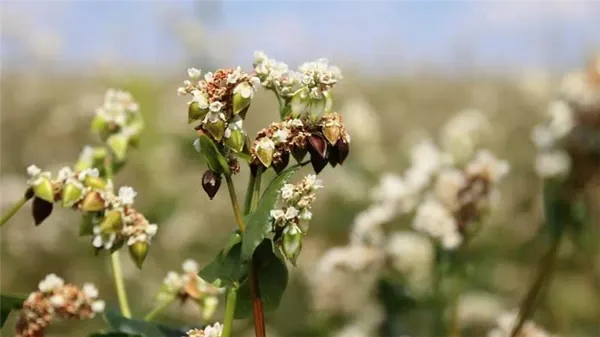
{"x": 118, "y": 107}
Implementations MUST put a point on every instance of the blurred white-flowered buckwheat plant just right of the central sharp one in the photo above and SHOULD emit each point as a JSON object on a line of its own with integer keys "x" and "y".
{"x": 446, "y": 199}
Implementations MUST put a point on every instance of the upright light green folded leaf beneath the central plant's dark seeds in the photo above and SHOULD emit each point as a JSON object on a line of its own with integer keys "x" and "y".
{"x": 258, "y": 226}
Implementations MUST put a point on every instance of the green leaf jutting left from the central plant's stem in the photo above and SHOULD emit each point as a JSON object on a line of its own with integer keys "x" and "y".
{"x": 228, "y": 268}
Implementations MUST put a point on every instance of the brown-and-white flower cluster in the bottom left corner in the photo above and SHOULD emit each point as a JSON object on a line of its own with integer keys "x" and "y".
{"x": 55, "y": 299}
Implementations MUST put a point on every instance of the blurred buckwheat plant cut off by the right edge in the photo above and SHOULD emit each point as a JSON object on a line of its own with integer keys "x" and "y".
{"x": 568, "y": 162}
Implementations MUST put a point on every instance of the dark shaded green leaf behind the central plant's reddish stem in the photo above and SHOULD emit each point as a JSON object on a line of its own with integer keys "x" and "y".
{"x": 272, "y": 280}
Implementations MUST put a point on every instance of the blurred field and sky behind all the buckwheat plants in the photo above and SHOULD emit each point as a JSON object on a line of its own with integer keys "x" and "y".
{"x": 408, "y": 68}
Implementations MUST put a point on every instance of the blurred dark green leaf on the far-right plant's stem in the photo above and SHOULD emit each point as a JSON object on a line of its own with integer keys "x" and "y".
{"x": 557, "y": 211}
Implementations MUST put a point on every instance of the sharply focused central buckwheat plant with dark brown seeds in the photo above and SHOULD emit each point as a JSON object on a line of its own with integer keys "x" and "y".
{"x": 271, "y": 224}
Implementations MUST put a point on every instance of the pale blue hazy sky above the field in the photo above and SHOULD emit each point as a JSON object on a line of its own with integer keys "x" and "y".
{"x": 375, "y": 35}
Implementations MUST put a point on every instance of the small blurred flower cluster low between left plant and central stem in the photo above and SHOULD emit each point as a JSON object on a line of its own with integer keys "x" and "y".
{"x": 189, "y": 285}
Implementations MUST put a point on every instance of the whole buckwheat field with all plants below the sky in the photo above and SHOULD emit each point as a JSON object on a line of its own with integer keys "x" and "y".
{"x": 264, "y": 199}
